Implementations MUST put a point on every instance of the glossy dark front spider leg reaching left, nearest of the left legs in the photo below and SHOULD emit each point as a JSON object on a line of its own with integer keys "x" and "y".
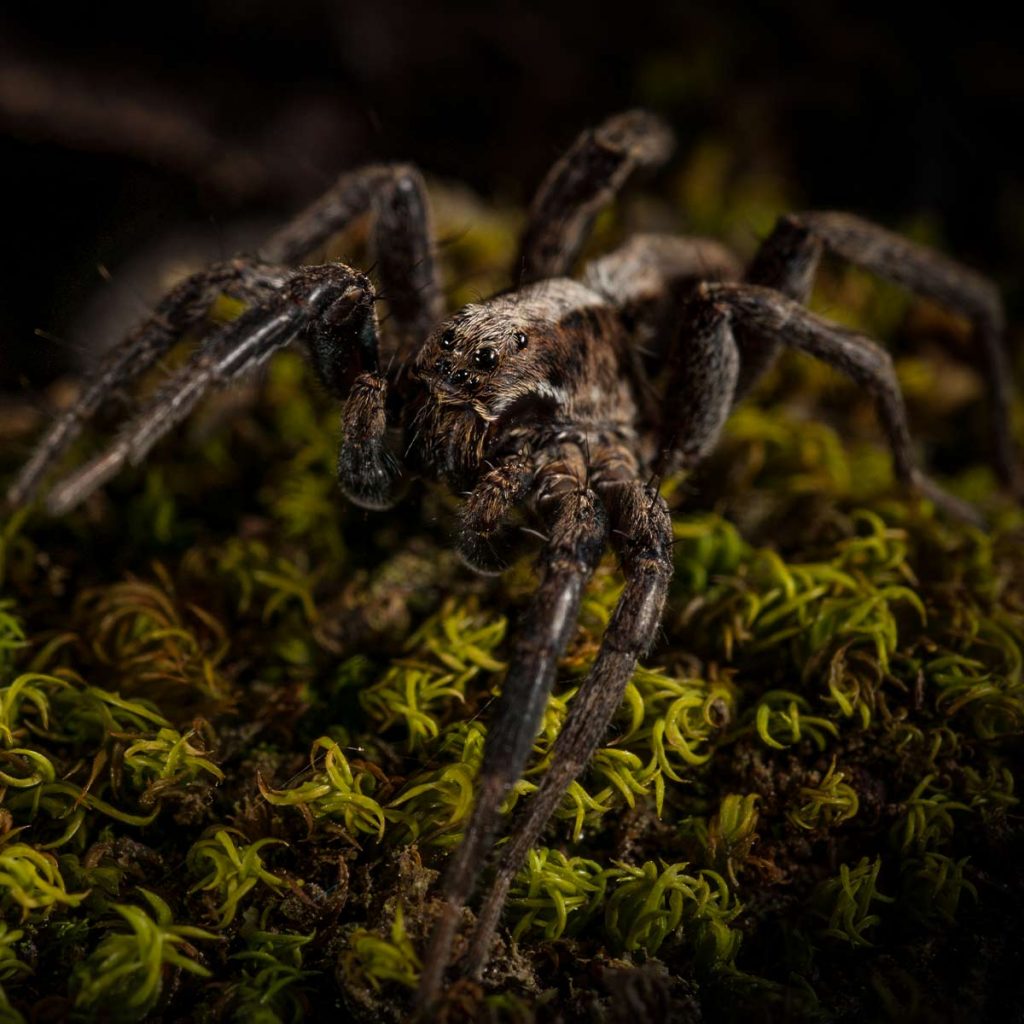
{"x": 336, "y": 300}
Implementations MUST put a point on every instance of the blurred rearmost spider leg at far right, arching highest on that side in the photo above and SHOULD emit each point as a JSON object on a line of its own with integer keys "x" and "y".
{"x": 789, "y": 259}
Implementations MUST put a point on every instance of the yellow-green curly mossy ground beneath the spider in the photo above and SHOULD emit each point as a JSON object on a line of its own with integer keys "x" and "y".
{"x": 240, "y": 721}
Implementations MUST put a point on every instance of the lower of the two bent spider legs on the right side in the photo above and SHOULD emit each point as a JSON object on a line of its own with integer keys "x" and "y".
{"x": 770, "y": 318}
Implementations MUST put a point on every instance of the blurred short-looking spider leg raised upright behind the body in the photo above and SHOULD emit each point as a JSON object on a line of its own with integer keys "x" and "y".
{"x": 585, "y": 181}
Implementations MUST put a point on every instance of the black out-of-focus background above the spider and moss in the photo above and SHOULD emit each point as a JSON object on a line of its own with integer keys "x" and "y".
{"x": 117, "y": 129}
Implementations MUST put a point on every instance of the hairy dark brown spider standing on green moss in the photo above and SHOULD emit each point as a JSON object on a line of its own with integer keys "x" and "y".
{"x": 567, "y": 397}
